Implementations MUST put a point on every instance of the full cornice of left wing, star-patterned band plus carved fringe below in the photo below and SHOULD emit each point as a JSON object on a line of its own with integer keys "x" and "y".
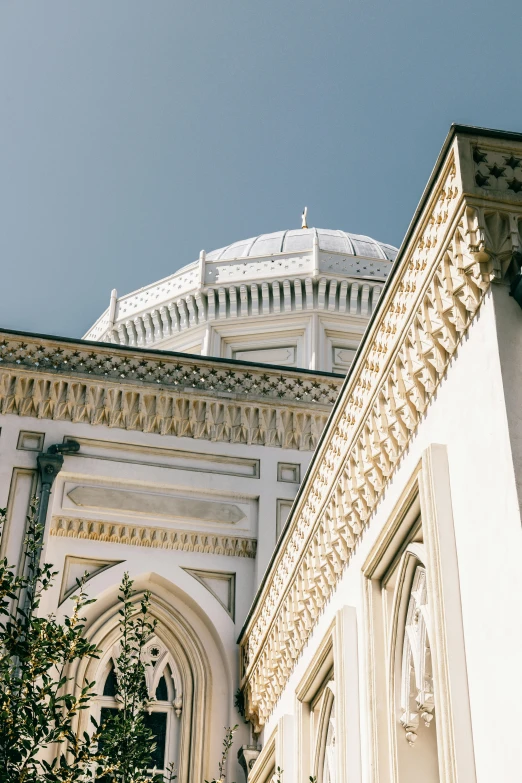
{"x": 182, "y": 396}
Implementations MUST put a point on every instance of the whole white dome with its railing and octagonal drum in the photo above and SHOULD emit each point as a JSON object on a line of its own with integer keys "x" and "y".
{"x": 297, "y": 298}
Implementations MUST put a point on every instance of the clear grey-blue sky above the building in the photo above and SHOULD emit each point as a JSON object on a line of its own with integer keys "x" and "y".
{"x": 134, "y": 133}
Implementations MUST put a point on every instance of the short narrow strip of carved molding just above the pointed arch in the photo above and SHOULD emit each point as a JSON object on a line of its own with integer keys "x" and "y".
{"x": 153, "y": 537}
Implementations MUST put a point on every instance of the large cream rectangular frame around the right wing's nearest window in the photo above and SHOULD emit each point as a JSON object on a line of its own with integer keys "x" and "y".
{"x": 424, "y": 505}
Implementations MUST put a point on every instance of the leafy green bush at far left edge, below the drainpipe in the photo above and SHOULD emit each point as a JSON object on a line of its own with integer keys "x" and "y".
{"x": 38, "y": 742}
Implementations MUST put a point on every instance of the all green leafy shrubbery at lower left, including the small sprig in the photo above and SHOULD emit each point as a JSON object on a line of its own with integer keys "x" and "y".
{"x": 39, "y": 705}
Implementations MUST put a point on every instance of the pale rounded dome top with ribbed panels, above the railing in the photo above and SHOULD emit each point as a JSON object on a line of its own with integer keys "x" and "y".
{"x": 301, "y": 240}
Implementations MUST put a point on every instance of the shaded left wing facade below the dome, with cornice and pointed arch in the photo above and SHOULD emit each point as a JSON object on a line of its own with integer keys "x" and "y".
{"x": 186, "y": 473}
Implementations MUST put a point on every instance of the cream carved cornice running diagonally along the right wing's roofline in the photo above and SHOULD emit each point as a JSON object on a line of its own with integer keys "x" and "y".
{"x": 458, "y": 245}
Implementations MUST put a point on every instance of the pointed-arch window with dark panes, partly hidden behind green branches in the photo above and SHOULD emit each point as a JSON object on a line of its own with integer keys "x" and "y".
{"x": 163, "y": 684}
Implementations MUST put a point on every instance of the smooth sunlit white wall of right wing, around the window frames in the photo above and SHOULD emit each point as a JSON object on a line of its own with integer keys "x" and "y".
{"x": 468, "y": 415}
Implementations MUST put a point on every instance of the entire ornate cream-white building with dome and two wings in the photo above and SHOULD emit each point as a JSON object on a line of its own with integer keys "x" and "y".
{"x": 359, "y": 538}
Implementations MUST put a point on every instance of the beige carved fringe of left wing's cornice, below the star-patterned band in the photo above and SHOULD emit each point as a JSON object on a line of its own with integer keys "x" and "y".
{"x": 200, "y": 416}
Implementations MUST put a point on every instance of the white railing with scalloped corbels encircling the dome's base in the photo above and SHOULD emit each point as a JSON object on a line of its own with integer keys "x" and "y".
{"x": 206, "y": 291}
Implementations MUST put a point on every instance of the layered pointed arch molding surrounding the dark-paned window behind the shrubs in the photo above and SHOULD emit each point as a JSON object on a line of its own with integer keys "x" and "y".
{"x": 193, "y": 670}
